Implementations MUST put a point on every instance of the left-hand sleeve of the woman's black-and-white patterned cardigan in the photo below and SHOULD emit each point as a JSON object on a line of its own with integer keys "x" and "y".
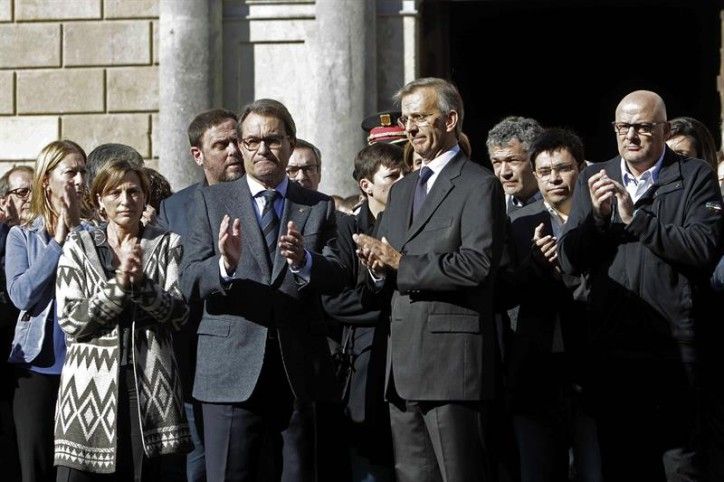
{"x": 80, "y": 313}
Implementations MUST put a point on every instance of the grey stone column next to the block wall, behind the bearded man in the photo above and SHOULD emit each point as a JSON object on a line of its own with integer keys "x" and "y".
{"x": 190, "y": 43}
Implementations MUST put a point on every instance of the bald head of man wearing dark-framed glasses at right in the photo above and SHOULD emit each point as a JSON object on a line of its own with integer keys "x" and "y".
{"x": 641, "y": 129}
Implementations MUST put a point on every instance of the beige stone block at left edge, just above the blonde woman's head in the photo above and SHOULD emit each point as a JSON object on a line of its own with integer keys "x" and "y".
{"x": 24, "y": 137}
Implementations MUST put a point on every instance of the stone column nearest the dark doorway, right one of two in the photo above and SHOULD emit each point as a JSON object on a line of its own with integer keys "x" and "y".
{"x": 345, "y": 93}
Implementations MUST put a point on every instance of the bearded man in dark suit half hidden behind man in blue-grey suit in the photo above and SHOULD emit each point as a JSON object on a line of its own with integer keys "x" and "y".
{"x": 215, "y": 148}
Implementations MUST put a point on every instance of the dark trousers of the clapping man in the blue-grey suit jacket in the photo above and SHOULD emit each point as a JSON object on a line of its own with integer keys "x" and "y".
{"x": 271, "y": 433}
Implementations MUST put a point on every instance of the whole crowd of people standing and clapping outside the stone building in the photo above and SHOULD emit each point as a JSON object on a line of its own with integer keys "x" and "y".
{"x": 552, "y": 319}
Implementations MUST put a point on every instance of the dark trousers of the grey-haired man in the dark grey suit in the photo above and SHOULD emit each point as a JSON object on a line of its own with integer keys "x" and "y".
{"x": 439, "y": 441}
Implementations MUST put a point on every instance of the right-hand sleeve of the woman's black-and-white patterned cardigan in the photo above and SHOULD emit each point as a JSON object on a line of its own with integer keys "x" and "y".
{"x": 165, "y": 304}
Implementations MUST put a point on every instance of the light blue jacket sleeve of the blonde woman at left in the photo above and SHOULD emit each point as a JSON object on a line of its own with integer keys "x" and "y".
{"x": 30, "y": 282}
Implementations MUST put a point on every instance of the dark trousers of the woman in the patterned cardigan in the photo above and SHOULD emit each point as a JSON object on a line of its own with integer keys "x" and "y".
{"x": 131, "y": 463}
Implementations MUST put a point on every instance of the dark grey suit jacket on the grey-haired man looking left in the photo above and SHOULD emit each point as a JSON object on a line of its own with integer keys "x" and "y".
{"x": 442, "y": 336}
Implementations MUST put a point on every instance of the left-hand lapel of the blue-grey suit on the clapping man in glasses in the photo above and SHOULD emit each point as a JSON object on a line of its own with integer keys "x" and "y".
{"x": 241, "y": 206}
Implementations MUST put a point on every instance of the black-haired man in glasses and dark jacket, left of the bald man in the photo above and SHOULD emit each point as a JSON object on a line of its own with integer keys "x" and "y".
{"x": 546, "y": 362}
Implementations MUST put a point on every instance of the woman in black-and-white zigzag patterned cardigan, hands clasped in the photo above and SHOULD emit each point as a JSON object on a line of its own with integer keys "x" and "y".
{"x": 120, "y": 402}
